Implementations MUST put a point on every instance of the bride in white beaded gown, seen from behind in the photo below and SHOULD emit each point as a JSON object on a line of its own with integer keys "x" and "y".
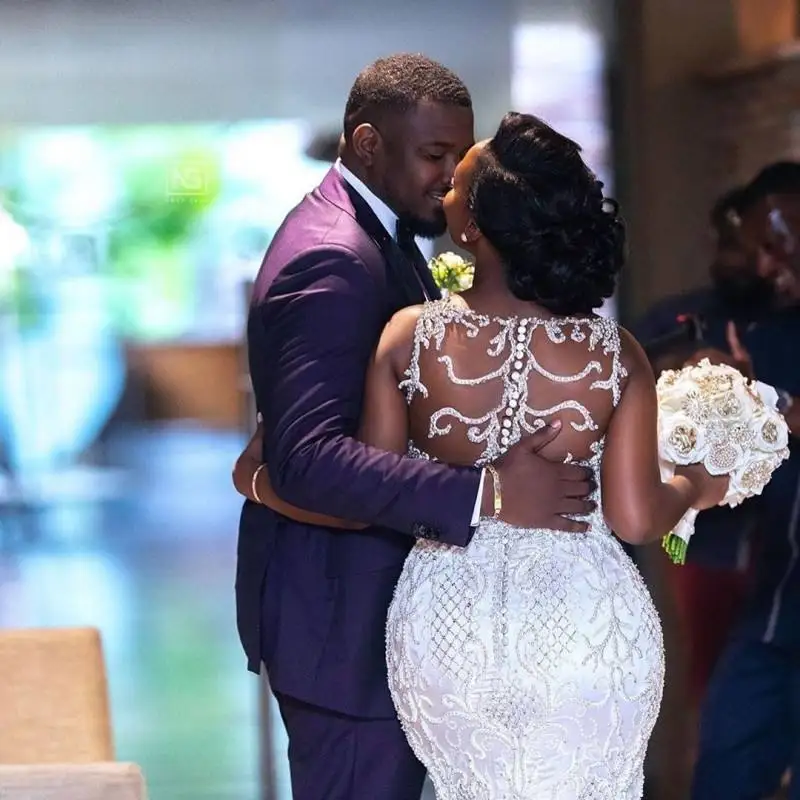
{"x": 528, "y": 665}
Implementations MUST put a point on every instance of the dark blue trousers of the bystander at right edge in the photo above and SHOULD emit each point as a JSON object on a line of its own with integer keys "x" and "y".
{"x": 750, "y": 724}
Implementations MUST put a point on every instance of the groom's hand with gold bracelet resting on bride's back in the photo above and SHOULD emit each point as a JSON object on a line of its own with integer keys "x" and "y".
{"x": 537, "y": 493}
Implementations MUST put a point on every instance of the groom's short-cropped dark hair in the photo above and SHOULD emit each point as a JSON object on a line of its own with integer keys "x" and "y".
{"x": 397, "y": 84}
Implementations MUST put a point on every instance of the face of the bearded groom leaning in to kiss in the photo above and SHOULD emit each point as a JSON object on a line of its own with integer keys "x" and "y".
{"x": 419, "y": 153}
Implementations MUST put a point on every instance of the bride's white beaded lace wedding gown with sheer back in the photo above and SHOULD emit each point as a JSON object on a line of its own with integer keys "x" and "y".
{"x": 528, "y": 665}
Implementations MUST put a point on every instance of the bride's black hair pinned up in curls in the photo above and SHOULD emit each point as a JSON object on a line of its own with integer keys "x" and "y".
{"x": 543, "y": 210}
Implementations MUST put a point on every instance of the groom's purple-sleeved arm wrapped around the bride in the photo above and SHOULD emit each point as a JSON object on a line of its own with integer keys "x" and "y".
{"x": 311, "y": 338}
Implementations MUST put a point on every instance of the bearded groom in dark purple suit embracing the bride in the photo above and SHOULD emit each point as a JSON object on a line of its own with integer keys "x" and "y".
{"x": 312, "y": 601}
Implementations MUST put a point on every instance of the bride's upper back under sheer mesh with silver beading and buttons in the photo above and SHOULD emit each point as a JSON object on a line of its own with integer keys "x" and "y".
{"x": 477, "y": 384}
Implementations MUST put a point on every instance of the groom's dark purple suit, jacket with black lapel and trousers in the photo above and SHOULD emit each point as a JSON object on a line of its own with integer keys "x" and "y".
{"x": 312, "y": 601}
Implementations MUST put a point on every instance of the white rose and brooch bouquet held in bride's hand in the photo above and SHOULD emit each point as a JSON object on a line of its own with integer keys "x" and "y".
{"x": 712, "y": 415}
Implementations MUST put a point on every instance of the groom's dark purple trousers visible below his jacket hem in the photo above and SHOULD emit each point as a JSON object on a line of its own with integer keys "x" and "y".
{"x": 333, "y": 756}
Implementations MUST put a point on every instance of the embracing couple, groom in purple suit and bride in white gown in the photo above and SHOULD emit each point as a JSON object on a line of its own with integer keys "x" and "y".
{"x": 445, "y": 522}
